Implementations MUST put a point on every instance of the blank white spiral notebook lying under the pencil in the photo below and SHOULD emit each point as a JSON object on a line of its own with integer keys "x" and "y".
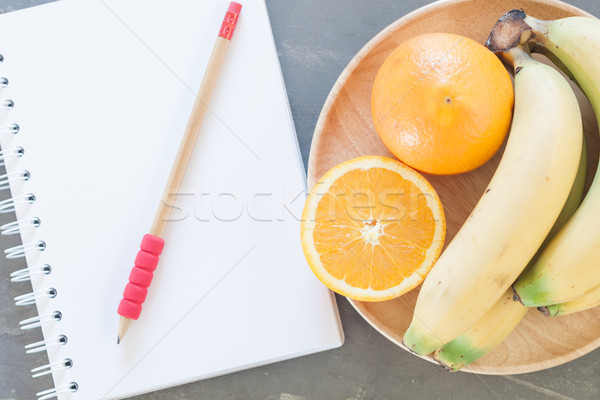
{"x": 97, "y": 94}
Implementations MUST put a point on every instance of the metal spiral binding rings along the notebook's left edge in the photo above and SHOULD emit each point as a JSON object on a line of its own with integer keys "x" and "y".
{"x": 16, "y": 227}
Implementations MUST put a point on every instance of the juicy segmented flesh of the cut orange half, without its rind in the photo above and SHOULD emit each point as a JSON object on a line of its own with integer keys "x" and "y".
{"x": 384, "y": 223}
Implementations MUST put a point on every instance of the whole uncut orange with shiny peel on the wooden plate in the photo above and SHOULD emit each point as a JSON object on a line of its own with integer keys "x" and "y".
{"x": 442, "y": 103}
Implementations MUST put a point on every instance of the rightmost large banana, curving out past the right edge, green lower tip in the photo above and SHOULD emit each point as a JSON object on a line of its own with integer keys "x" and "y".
{"x": 567, "y": 268}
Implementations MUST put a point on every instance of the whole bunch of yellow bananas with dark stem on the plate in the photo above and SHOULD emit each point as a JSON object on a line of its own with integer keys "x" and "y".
{"x": 562, "y": 277}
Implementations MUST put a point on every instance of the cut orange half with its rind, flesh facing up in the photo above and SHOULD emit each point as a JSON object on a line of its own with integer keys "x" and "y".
{"x": 372, "y": 228}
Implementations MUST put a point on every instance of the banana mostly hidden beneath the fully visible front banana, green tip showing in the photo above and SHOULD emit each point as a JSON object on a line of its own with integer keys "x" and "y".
{"x": 505, "y": 315}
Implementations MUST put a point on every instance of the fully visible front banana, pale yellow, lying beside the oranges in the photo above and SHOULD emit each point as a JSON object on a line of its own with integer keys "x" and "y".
{"x": 514, "y": 215}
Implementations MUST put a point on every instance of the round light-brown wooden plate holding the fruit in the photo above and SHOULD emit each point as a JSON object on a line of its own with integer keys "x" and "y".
{"x": 345, "y": 130}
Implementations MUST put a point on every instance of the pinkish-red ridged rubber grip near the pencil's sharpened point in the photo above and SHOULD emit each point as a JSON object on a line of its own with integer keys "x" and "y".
{"x": 140, "y": 277}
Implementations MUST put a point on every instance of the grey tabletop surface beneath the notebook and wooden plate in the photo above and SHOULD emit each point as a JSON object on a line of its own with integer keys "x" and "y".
{"x": 315, "y": 40}
